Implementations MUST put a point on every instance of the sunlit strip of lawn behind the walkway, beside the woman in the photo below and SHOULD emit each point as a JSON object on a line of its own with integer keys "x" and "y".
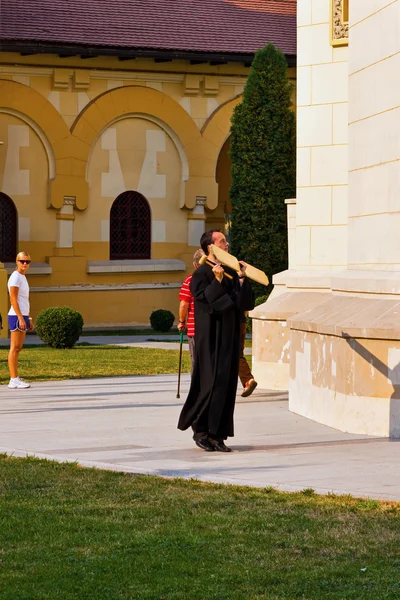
{"x": 41, "y": 363}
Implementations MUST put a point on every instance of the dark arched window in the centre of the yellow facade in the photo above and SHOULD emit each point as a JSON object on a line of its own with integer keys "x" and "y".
{"x": 130, "y": 227}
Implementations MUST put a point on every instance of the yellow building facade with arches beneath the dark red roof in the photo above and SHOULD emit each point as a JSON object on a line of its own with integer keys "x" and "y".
{"x": 85, "y": 144}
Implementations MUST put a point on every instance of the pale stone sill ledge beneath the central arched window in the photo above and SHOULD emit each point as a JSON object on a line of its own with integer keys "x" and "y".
{"x": 135, "y": 266}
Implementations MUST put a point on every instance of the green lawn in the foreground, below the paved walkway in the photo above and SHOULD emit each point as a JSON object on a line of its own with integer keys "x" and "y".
{"x": 77, "y": 534}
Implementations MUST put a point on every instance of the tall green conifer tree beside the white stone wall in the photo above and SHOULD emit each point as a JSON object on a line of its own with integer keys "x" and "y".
{"x": 263, "y": 155}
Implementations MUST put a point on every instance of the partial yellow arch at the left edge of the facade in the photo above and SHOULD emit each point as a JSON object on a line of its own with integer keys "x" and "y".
{"x": 69, "y": 173}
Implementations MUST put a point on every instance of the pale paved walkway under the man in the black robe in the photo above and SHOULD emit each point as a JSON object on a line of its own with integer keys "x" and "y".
{"x": 129, "y": 424}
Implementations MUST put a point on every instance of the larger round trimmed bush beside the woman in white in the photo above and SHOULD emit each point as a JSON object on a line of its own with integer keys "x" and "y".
{"x": 59, "y": 326}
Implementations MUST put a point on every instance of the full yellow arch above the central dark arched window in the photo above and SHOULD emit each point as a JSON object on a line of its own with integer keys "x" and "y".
{"x": 153, "y": 104}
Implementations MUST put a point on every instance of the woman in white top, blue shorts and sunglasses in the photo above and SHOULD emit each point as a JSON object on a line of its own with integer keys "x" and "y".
{"x": 19, "y": 321}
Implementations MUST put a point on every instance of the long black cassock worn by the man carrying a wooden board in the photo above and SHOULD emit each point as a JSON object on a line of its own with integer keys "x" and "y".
{"x": 217, "y": 309}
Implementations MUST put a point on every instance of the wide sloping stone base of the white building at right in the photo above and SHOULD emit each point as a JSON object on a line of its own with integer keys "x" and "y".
{"x": 336, "y": 350}
